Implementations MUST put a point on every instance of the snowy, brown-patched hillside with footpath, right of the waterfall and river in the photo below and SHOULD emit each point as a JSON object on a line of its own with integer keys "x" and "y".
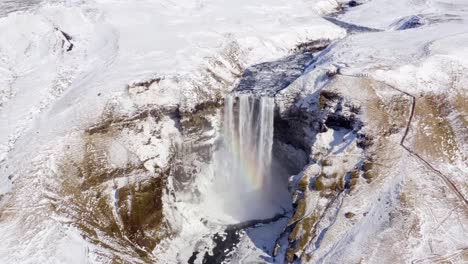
{"x": 404, "y": 199}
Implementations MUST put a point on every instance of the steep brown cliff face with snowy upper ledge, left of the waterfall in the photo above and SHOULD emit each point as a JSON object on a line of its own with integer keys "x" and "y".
{"x": 115, "y": 197}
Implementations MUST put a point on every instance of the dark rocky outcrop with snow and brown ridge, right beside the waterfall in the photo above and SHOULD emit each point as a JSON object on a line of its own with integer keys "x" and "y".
{"x": 321, "y": 182}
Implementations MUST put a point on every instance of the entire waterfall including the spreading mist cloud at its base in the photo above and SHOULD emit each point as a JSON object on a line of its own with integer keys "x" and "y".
{"x": 244, "y": 181}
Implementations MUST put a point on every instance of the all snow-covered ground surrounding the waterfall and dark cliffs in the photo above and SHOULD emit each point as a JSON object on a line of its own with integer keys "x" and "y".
{"x": 67, "y": 65}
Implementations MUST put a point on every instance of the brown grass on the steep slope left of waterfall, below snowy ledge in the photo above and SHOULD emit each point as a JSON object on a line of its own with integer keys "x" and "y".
{"x": 134, "y": 225}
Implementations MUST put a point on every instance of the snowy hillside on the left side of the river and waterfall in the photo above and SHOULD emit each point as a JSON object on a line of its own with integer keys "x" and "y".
{"x": 66, "y": 65}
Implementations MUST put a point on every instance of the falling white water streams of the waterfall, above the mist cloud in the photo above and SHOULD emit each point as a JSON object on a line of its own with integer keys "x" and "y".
{"x": 248, "y": 141}
